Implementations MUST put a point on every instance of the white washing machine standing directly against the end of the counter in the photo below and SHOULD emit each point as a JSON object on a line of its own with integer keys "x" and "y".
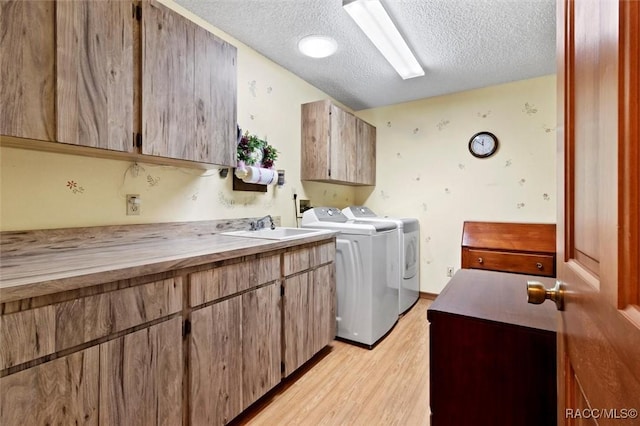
{"x": 366, "y": 274}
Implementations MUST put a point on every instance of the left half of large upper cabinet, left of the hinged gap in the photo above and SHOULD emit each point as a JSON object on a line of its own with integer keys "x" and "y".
{"x": 69, "y": 69}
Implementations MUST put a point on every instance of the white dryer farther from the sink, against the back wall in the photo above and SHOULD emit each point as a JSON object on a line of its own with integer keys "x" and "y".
{"x": 409, "y": 252}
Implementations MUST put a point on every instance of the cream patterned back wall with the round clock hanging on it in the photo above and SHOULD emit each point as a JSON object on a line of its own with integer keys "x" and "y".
{"x": 424, "y": 168}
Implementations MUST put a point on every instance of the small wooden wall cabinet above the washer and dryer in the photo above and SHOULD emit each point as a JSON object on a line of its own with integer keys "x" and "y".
{"x": 336, "y": 146}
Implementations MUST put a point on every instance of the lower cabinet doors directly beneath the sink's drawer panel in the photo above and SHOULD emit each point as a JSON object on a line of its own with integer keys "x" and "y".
{"x": 234, "y": 354}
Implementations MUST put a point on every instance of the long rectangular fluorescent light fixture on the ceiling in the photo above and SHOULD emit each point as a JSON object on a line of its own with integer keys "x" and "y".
{"x": 376, "y": 24}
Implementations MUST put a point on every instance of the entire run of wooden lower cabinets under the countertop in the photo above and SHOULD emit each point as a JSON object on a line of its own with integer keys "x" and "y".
{"x": 126, "y": 353}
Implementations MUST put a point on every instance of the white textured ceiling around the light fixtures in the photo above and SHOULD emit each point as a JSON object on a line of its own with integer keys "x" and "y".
{"x": 461, "y": 44}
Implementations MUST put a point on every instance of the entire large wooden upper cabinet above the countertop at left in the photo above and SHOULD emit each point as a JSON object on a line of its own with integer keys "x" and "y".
{"x": 71, "y": 73}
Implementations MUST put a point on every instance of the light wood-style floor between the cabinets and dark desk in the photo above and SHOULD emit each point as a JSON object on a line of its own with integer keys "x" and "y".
{"x": 350, "y": 385}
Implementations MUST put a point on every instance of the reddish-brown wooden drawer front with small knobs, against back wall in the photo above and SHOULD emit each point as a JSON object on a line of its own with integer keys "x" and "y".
{"x": 525, "y": 263}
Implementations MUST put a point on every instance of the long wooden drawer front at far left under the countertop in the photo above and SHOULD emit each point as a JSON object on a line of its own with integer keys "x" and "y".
{"x": 31, "y": 334}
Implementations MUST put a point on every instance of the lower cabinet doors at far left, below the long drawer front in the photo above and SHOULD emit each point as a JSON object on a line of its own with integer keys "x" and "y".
{"x": 133, "y": 379}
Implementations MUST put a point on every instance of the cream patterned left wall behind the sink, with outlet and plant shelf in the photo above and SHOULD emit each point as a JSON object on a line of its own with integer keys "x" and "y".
{"x": 44, "y": 190}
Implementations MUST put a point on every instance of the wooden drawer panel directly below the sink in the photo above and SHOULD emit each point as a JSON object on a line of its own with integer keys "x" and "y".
{"x": 221, "y": 281}
